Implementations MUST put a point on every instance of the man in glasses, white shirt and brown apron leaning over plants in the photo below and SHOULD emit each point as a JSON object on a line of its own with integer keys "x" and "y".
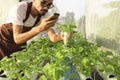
{"x": 24, "y": 22}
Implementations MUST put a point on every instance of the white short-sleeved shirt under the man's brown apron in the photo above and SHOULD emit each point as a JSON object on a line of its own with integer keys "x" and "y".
{"x": 18, "y": 14}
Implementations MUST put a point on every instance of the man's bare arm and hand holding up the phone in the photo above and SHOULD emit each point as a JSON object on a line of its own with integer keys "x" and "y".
{"x": 20, "y": 37}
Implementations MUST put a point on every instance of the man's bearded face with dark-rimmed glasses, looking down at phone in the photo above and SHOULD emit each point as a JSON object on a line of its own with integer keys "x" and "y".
{"x": 42, "y": 6}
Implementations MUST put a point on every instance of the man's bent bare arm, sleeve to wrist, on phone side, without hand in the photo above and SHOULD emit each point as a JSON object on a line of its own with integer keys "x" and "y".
{"x": 20, "y": 37}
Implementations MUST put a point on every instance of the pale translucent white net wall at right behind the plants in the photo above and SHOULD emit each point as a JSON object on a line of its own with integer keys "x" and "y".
{"x": 103, "y": 23}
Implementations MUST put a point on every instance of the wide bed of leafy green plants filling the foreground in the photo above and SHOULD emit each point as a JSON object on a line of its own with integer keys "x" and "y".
{"x": 82, "y": 53}
